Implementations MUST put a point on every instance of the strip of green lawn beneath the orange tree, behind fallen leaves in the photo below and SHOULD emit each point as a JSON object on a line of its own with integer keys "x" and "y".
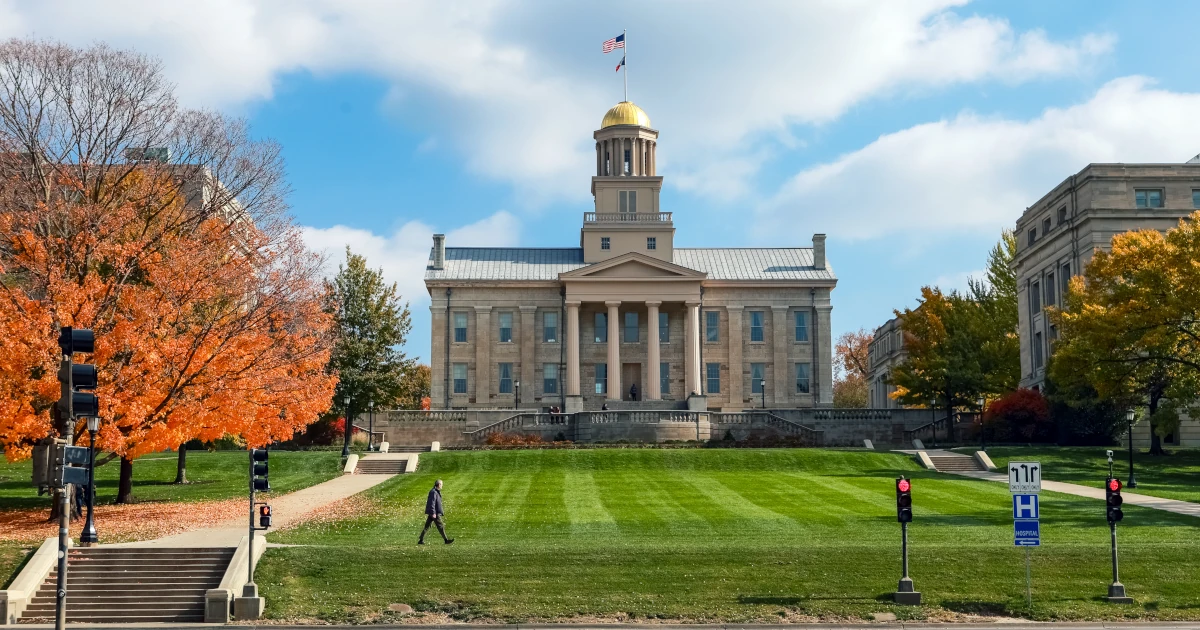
{"x": 212, "y": 476}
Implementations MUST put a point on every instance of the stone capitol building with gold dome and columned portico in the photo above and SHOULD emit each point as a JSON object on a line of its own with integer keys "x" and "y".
{"x": 626, "y": 319}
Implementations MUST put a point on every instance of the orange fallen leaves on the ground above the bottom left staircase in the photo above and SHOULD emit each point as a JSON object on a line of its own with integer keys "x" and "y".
{"x": 124, "y": 524}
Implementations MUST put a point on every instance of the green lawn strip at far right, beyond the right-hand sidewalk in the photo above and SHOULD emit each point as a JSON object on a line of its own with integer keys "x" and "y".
{"x": 1171, "y": 477}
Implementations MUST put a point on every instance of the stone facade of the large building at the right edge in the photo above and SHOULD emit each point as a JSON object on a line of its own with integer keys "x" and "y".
{"x": 1059, "y": 235}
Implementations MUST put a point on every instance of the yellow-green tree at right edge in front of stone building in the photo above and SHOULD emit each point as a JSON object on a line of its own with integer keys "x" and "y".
{"x": 1130, "y": 327}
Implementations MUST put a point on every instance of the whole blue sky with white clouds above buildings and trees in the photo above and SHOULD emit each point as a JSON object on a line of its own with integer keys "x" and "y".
{"x": 910, "y": 133}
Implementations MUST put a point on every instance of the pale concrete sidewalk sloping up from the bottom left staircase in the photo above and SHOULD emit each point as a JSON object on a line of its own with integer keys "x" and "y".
{"x": 286, "y": 509}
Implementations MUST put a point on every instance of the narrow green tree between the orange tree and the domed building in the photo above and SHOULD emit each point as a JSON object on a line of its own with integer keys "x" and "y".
{"x": 371, "y": 325}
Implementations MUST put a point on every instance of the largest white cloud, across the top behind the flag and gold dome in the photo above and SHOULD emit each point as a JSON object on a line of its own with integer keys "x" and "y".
{"x": 518, "y": 88}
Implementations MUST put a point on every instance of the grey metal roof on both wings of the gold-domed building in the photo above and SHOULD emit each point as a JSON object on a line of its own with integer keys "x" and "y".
{"x": 542, "y": 265}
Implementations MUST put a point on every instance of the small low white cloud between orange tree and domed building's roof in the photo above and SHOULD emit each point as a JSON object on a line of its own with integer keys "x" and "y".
{"x": 405, "y": 254}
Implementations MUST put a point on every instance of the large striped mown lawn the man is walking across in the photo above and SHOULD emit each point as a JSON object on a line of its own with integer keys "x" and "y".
{"x": 711, "y": 536}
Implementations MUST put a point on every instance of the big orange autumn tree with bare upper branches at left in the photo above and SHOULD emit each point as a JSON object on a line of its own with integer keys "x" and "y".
{"x": 206, "y": 304}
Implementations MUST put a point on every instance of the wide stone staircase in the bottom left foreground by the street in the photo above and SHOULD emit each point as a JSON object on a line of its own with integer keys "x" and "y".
{"x": 134, "y": 585}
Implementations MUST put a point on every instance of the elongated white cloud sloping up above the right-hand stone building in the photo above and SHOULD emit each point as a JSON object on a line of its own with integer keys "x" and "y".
{"x": 977, "y": 173}
